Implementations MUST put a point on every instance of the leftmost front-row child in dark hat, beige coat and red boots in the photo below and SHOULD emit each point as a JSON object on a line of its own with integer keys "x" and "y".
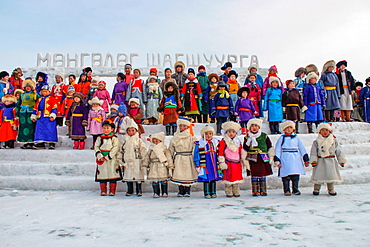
{"x": 107, "y": 169}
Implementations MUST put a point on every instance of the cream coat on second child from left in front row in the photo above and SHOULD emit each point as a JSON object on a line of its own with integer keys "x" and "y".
{"x": 131, "y": 155}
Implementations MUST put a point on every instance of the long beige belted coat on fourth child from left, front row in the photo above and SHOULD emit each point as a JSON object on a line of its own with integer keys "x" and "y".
{"x": 182, "y": 148}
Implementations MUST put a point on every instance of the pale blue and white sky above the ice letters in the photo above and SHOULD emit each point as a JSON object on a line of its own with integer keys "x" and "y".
{"x": 288, "y": 34}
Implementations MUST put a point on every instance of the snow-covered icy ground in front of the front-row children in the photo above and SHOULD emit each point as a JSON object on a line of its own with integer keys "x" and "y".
{"x": 73, "y": 218}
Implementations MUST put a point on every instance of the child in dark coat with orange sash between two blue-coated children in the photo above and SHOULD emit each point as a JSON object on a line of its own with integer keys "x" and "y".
{"x": 292, "y": 103}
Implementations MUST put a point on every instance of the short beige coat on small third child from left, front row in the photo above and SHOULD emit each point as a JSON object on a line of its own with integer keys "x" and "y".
{"x": 158, "y": 159}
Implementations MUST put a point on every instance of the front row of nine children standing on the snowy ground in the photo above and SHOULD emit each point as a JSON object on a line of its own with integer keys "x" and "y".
{"x": 188, "y": 161}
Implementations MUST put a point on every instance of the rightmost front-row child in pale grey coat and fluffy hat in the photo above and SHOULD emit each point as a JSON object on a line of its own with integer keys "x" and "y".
{"x": 325, "y": 166}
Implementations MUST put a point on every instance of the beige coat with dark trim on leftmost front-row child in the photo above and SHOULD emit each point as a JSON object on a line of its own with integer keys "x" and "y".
{"x": 110, "y": 169}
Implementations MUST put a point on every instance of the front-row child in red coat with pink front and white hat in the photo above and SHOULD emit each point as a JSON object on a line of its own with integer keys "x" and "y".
{"x": 229, "y": 158}
